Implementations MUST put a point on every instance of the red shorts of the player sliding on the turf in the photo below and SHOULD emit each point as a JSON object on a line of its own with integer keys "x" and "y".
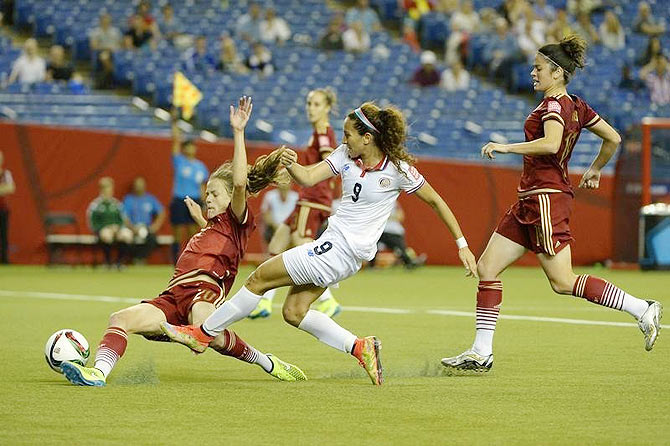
{"x": 176, "y": 302}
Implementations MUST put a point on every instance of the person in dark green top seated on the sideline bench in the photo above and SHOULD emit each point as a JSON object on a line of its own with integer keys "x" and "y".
{"x": 105, "y": 218}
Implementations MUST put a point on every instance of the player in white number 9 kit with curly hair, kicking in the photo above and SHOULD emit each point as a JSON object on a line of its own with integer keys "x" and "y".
{"x": 375, "y": 167}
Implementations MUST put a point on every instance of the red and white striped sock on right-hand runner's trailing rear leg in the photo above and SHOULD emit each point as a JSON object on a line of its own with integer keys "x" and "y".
{"x": 601, "y": 292}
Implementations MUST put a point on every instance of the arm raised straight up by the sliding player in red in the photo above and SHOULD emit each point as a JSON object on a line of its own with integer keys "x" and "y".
{"x": 238, "y": 121}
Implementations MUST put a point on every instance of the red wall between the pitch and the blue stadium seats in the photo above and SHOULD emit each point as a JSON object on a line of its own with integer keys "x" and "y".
{"x": 57, "y": 169}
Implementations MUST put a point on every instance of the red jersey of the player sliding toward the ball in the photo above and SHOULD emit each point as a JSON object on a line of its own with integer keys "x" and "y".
{"x": 217, "y": 249}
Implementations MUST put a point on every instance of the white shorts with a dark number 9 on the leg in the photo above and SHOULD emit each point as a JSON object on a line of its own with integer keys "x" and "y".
{"x": 323, "y": 262}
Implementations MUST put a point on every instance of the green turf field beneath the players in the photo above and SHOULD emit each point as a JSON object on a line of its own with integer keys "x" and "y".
{"x": 552, "y": 382}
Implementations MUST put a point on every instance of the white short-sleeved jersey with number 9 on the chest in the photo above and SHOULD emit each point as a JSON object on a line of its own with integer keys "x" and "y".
{"x": 368, "y": 198}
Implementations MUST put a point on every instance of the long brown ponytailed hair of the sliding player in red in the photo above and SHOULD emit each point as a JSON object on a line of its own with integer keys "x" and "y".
{"x": 265, "y": 171}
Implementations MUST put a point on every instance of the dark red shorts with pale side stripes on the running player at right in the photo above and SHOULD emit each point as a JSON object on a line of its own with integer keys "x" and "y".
{"x": 539, "y": 223}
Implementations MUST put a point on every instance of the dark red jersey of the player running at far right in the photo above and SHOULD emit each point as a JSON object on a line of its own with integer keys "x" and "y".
{"x": 551, "y": 171}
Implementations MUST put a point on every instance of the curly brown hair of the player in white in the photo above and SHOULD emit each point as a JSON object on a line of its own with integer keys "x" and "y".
{"x": 391, "y": 134}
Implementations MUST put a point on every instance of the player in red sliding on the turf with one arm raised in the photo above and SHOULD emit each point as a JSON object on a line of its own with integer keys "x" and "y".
{"x": 205, "y": 271}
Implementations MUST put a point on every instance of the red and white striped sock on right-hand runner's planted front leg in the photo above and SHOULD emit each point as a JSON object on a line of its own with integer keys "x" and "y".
{"x": 489, "y": 298}
